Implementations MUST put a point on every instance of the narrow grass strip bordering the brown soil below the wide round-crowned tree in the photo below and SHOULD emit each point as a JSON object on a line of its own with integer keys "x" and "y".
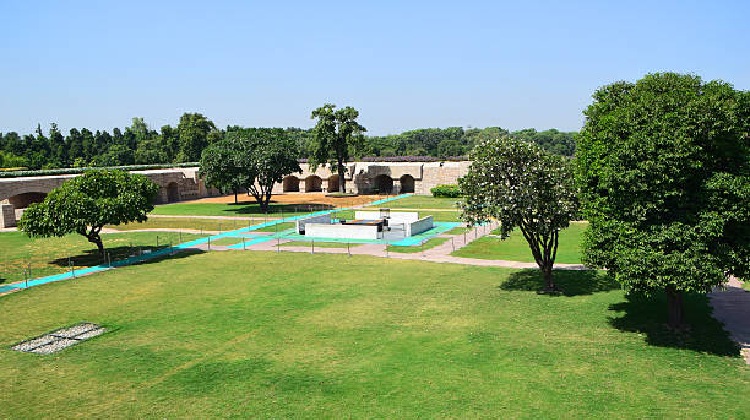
{"x": 244, "y": 208}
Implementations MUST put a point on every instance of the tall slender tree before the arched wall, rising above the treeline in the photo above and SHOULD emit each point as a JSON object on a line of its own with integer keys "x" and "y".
{"x": 334, "y": 133}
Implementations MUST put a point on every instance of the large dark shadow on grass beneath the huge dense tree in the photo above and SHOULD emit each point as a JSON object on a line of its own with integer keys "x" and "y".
{"x": 648, "y": 316}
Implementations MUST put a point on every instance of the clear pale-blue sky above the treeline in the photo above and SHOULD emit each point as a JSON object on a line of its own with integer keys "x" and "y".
{"x": 402, "y": 64}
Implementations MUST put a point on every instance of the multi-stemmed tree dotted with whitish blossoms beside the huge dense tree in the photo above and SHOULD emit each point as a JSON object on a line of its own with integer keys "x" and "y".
{"x": 524, "y": 187}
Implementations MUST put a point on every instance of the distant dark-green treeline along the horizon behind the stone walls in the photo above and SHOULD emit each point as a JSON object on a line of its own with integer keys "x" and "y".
{"x": 140, "y": 145}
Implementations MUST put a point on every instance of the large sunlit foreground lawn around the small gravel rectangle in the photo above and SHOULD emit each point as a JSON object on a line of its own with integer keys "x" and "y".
{"x": 281, "y": 335}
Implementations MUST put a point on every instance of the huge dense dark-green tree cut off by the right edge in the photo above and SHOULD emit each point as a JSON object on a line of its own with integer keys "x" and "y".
{"x": 664, "y": 171}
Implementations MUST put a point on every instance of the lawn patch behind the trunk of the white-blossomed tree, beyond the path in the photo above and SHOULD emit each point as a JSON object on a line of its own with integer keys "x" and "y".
{"x": 515, "y": 247}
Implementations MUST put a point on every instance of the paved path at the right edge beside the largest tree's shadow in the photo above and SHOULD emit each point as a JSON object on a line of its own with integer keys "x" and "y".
{"x": 732, "y": 308}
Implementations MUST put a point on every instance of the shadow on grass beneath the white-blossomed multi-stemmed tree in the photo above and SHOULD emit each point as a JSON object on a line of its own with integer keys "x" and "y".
{"x": 570, "y": 282}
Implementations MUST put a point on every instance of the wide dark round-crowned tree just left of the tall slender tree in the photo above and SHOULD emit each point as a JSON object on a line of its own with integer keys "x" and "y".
{"x": 251, "y": 158}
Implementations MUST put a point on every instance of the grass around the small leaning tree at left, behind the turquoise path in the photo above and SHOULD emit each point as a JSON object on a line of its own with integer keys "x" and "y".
{"x": 47, "y": 256}
